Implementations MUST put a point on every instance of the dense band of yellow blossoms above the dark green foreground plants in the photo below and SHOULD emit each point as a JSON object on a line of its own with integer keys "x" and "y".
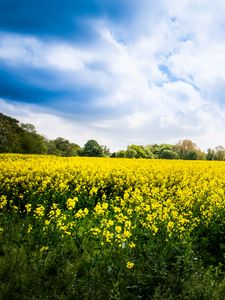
{"x": 120, "y": 196}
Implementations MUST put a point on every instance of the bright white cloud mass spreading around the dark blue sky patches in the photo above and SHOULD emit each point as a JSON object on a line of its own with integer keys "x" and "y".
{"x": 161, "y": 82}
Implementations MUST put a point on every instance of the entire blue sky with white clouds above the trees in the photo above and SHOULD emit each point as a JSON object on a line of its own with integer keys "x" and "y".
{"x": 118, "y": 71}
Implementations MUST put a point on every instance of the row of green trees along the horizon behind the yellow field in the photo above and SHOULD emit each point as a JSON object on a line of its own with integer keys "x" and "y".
{"x": 16, "y": 137}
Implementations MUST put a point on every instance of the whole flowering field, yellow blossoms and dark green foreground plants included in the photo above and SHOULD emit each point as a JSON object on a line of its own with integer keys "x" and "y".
{"x": 98, "y": 228}
